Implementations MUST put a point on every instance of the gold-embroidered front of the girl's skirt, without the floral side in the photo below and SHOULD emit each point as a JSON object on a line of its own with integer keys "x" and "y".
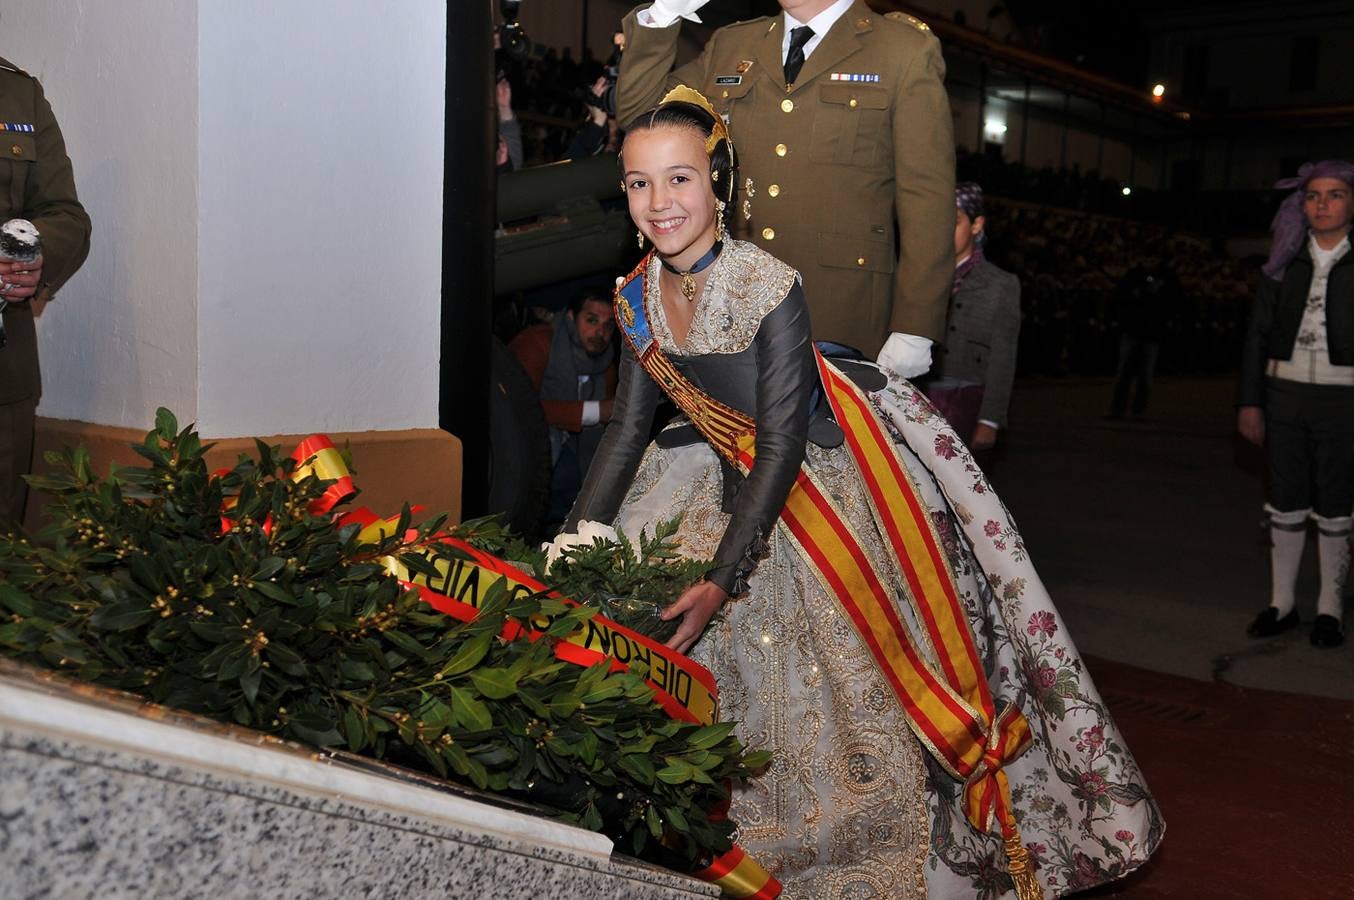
{"x": 843, "y": 810}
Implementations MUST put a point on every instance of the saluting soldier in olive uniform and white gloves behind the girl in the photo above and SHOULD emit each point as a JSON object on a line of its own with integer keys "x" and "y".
{"x": 858, "y": 139}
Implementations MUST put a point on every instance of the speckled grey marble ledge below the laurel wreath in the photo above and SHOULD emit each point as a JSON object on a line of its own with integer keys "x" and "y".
{"x": 105, "y": 796}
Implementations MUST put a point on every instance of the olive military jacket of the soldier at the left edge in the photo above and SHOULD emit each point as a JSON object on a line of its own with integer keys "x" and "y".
{"x": 37, "y": 183}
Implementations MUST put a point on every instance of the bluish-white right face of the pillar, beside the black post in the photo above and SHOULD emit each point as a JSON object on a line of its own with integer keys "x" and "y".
{"x": 320, "y": 232}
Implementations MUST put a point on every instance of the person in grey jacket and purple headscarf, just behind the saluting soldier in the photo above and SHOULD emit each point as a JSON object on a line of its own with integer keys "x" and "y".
{"x": 971, "y": 378}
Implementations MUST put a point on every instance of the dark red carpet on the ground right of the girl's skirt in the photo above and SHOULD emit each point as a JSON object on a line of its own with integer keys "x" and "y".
{"x": 1257, "y": 787}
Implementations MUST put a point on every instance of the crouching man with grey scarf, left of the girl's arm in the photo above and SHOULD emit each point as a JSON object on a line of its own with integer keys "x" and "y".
{"x": 573, "y": 365}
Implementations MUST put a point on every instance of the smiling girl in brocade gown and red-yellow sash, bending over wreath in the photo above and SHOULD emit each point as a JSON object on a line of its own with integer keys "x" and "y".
{"x": 778, "y": 470}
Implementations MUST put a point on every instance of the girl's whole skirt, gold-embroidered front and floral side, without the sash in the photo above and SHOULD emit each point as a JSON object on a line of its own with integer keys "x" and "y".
{"x": 852, "y": 806}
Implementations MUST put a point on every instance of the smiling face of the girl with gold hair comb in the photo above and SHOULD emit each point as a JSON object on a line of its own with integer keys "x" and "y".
{"x": 670, "y": 192}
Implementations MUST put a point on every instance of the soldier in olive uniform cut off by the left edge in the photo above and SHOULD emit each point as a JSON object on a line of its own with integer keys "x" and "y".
{"x": 37, "y": 185}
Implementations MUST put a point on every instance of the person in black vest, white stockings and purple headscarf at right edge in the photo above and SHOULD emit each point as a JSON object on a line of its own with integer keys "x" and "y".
{"x": 1296, "y": 393}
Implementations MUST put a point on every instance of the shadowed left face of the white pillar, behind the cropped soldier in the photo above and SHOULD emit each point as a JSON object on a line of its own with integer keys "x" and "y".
{"x": 123, "y": 78}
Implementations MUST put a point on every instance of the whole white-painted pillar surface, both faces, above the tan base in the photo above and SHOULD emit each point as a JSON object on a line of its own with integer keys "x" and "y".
{"x": 266, "y": 187}
